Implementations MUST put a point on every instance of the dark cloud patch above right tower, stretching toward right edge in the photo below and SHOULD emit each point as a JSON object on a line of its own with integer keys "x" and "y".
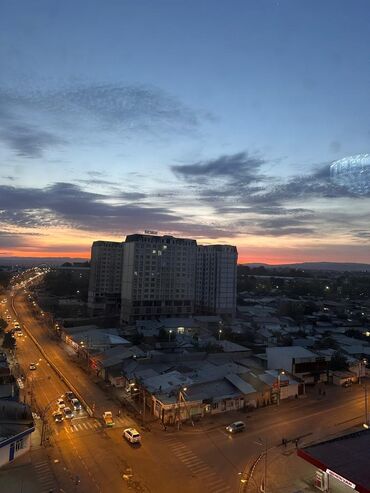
{"x": 238, "y": 189}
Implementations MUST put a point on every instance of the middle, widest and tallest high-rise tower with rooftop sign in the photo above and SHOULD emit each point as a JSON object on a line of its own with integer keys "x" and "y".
{"x": 159, "y": 277}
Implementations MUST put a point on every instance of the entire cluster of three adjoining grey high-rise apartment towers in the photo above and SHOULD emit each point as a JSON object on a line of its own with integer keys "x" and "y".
{"x": 149, "y": 276}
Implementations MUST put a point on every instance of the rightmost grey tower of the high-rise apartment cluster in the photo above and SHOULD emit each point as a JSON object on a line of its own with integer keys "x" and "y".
{"x": 216, "y": 280}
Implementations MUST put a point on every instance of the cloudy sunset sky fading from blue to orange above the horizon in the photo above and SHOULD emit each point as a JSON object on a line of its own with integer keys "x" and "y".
{"x": 211, "y": 119}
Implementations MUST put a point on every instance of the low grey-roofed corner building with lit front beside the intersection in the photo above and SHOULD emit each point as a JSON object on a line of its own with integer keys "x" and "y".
{"x": 191, "y": 387}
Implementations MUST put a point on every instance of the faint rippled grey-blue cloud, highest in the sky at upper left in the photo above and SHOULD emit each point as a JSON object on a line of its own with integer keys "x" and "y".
{"x": 105, "y": 107}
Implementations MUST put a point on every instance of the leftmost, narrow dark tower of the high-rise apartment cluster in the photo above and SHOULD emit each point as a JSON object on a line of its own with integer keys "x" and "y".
{"x": 105, "y": 277}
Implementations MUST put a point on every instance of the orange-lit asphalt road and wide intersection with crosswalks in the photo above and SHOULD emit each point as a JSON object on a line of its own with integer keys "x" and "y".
{"x": 85, "y": 456}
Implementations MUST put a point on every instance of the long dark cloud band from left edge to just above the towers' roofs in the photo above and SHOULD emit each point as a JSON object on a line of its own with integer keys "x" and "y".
{"x": 67, "y": 205}
